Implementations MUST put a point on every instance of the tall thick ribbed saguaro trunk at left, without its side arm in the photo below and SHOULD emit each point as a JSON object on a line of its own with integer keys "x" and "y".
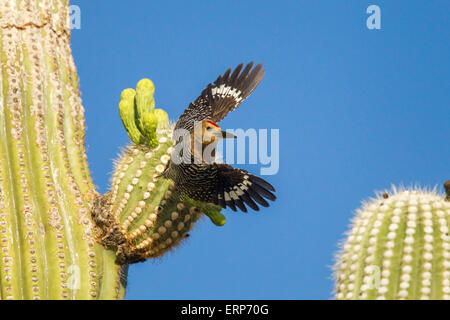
{"x": 47, "y": 245}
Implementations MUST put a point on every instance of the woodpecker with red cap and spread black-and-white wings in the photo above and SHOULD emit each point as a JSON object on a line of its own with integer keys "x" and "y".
{"x": 209, "y": 181}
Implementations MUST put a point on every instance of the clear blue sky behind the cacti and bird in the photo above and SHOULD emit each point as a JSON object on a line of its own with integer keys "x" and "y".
{"x": 357, "y": 109}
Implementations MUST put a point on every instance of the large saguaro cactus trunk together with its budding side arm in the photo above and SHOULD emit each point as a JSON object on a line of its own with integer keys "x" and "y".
{"x": 60, "y": 239}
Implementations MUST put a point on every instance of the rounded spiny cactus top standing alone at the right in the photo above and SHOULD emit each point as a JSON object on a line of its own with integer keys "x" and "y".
{"x": 398, "y": 248}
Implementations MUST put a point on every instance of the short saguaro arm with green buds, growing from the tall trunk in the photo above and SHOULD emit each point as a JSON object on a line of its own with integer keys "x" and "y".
{"x": 143, "y": 215}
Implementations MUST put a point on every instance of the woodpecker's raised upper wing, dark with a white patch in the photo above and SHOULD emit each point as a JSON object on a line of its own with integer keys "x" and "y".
{"x": 222, "y": 96}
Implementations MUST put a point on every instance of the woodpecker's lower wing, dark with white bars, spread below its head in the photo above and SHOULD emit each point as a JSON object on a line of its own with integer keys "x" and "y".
{"x": 225, "y": 186}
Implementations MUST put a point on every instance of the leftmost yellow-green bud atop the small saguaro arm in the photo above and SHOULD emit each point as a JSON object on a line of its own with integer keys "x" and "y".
{"x": 127, "y": 114}
